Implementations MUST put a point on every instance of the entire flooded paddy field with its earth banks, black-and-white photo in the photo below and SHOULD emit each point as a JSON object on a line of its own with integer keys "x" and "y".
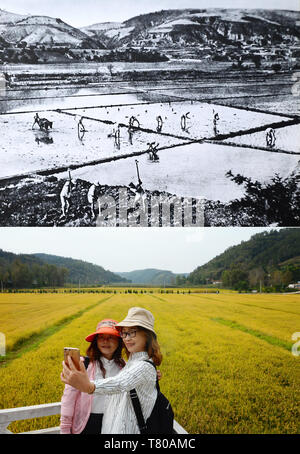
{"x": 194, "y": 150}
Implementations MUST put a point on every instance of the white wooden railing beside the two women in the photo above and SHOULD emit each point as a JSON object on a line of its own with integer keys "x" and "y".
{"x": 36, "y": 411}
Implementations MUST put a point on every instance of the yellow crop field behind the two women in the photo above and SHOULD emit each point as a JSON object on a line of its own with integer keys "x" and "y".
{"x": 227, "y": 367}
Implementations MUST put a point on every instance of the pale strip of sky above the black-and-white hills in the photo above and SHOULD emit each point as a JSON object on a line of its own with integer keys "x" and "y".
{"x": 86, "y": 12}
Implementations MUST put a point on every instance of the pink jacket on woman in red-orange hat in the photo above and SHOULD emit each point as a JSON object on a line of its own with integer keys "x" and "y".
{"x": 76, "y": 407}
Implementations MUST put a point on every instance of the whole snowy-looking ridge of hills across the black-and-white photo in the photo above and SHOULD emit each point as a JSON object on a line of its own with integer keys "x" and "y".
{"x": 171, "y": 27}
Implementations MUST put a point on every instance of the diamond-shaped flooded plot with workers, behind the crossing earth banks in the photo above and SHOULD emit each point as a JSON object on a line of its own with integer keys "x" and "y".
{"x": 186, "y": 119}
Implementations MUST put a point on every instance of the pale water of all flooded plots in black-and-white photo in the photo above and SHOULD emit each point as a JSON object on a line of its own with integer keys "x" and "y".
{"x": 187, "y": 170}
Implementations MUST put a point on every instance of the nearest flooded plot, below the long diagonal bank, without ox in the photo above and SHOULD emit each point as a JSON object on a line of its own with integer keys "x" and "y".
{"x": 196, "y": 170}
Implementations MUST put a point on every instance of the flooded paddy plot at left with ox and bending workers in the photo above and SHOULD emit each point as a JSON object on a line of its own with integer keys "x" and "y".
{"x": 34, "y": 150}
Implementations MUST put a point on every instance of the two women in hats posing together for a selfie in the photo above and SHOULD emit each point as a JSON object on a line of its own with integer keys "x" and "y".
{"x": 97, "y": 399}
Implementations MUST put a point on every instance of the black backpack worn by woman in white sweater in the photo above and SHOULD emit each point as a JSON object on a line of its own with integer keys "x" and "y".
{"x": 162, "y": 416}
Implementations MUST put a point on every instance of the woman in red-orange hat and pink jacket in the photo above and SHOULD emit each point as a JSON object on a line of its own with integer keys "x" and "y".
{"x": 82, "y": 413}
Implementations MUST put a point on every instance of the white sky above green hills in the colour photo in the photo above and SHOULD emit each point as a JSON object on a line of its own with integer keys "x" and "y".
{"x": 179, "y": 250}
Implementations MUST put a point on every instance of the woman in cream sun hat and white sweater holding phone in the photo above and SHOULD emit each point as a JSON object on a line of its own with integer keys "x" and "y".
{"x": 139, "y": 337}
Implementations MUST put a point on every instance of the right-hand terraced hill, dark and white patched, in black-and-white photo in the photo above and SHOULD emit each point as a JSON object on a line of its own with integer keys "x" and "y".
{"x": 186, "y": 27}
